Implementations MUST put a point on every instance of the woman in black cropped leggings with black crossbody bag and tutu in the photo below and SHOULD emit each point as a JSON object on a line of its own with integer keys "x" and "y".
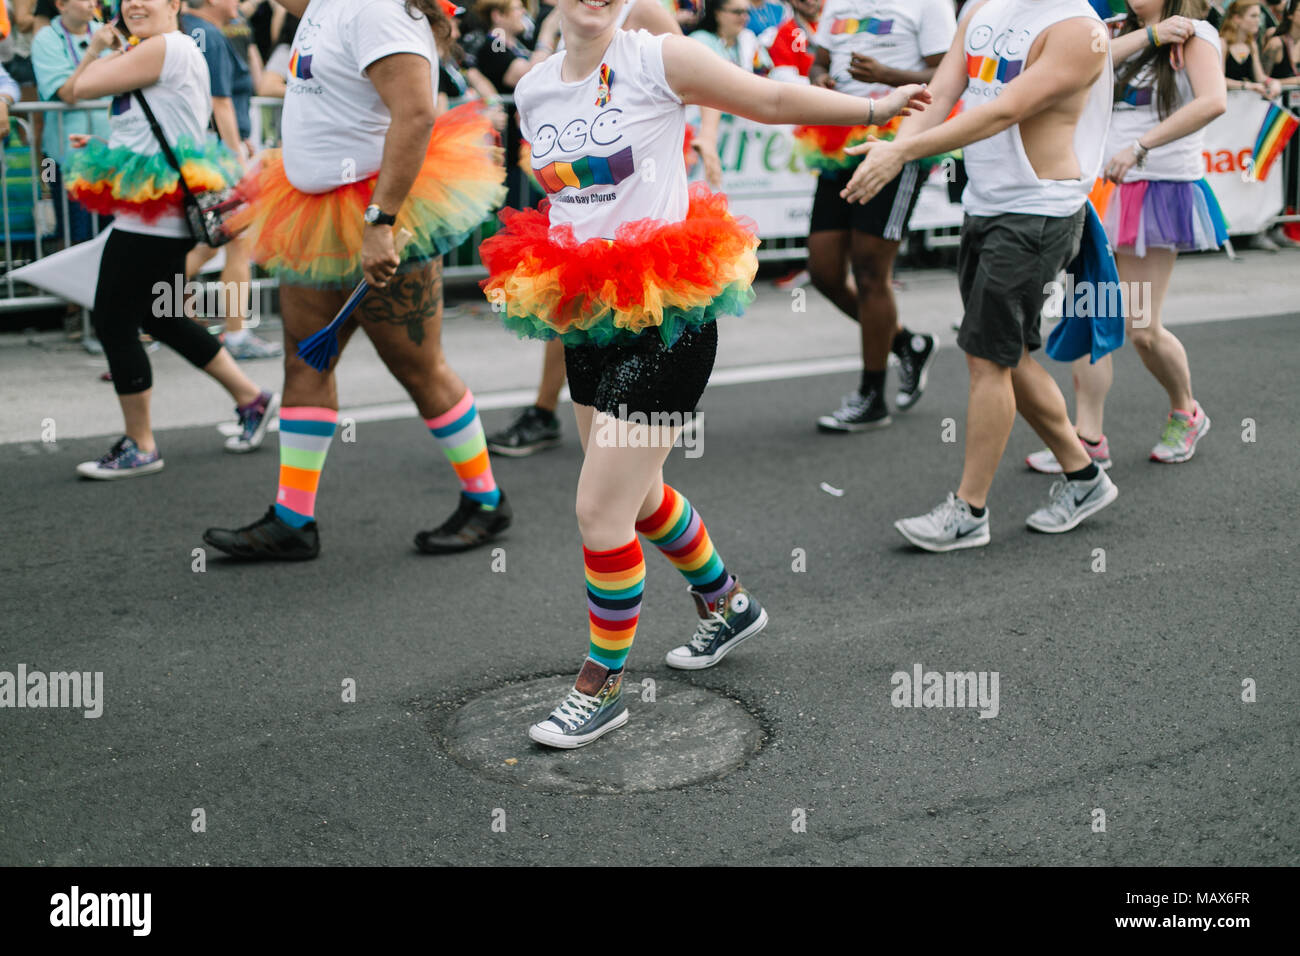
{"x": 142, "y": 271}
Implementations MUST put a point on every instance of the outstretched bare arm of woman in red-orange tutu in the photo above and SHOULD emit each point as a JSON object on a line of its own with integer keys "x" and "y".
{"x": 704, "y": 79}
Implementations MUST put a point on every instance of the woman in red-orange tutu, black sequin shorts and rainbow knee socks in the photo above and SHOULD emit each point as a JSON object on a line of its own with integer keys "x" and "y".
{"x": 631, "y": 270}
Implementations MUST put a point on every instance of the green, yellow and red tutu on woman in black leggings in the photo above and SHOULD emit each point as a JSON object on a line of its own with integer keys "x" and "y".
{"x": 110, "y": 180}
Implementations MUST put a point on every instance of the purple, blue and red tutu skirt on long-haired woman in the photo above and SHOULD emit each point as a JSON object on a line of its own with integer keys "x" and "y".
{"x": 1155, "y": 214}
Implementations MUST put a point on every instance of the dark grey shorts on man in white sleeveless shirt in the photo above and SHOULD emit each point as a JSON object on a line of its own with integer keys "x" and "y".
{"x": 1006, "y": 270}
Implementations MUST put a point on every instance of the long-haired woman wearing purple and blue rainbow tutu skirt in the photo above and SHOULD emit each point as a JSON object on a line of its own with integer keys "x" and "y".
{"x": 1155, "y": 205}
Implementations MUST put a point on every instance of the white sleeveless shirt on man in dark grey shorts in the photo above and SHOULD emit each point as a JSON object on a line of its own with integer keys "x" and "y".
{"x": 999, "y": 40}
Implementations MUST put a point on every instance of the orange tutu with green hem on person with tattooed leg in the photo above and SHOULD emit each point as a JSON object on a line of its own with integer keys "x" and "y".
{"x": 315, "y": 239}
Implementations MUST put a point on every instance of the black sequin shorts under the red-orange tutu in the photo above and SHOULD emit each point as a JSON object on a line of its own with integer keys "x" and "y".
{"x": 643, "y": 377}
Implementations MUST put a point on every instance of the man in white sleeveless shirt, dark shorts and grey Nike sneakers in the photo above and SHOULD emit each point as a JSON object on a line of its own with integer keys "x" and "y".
{"x": 1034, "y": 77}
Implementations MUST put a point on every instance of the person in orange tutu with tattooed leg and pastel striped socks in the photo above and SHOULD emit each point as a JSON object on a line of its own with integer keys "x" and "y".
{"x": 363, "y": 162}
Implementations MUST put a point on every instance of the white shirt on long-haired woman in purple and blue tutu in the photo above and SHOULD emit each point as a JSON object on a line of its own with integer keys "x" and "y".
{"x": 1138, "y": 113}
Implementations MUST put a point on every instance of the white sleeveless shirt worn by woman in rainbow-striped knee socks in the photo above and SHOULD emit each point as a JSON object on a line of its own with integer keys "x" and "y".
{"x": 608, "y": 148}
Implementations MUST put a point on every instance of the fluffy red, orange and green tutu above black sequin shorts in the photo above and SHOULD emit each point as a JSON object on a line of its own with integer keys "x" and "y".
{"x": 653, "y": 275}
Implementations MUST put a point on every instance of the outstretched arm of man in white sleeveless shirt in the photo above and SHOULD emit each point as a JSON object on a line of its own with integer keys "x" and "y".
{"x": 1071, "y": 60}
